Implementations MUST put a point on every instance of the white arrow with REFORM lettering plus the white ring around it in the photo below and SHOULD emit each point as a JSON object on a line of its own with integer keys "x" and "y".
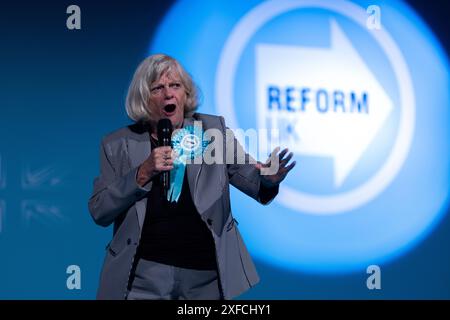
{"x": 325, "y": 101}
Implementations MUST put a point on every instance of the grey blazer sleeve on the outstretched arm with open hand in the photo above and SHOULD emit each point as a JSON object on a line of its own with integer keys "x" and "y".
{"x": 246, "y": 176}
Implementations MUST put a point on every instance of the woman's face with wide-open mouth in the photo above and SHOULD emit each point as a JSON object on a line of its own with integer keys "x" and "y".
{"x": 168, "y": 98}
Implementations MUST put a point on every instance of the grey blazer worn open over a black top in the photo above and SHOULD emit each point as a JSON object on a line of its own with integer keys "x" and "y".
{"x": 118, "y": 199}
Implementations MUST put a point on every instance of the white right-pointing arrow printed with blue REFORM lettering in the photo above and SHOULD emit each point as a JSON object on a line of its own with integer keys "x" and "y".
{"x": 321, "y": 113}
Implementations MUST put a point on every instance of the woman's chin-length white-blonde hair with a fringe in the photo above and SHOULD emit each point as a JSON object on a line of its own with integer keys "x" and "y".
{"x": 150, "y": 70}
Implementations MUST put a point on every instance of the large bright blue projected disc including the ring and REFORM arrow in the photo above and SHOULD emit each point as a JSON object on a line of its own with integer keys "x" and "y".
{"x": 348, "y": 101}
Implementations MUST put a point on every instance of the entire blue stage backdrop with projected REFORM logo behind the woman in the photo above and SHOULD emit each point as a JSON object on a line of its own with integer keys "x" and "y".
{"x": 358, "y": 90}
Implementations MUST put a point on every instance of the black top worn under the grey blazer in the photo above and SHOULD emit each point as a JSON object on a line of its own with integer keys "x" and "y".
{"x": 174, "y": 233}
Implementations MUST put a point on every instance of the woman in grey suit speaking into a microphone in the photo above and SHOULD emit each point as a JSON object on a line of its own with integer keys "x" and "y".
{"x": 187, "y": 246}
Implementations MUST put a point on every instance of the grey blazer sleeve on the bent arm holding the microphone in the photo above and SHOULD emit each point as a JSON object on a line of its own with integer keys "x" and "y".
{"x": 113, "y": 194}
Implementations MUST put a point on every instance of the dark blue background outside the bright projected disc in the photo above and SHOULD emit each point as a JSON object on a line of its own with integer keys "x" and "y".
{"x": 61, "y": 91}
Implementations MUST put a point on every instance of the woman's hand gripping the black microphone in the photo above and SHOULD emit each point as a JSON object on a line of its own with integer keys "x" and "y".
{"x": 160, "y": 159}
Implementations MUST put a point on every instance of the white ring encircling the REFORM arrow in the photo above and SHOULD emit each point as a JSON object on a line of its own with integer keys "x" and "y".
{"x": 366, "y": 192}
